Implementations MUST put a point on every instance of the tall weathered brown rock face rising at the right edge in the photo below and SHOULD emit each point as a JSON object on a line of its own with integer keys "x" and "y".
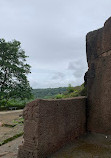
{"x": 98, "y": 49}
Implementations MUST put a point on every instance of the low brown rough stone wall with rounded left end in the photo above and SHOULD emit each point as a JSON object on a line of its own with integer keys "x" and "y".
{"x": 50, "y": 124}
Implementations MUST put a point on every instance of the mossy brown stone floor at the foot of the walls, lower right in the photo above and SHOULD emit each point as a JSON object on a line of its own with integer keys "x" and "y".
{"x": 89, "y": 146}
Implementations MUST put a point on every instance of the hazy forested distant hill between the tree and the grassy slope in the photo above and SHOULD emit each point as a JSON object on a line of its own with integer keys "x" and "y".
{"x": 48, "y": 92}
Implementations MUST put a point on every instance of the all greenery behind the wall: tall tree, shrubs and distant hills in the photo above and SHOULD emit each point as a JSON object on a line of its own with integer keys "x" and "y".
{"x": 14, "y": 85}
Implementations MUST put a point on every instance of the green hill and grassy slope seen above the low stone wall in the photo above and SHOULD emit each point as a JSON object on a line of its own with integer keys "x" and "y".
{"x": 58, "y": 93}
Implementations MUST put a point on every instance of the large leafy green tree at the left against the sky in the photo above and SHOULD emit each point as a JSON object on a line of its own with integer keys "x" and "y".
{"x": 13, "y": 71}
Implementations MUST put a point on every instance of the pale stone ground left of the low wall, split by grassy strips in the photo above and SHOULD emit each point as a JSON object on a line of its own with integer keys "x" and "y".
{"x": 10, "y": 149}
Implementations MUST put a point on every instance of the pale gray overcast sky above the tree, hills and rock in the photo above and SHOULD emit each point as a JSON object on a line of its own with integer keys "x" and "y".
{"x": 52, "y": 33}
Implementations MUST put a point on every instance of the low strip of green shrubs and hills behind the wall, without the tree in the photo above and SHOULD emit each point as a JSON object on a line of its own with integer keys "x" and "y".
{"x": 48, "y": 93}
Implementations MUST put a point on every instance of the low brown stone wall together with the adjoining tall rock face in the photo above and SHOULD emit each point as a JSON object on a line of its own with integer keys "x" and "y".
{"x": 51, "y": 124}
